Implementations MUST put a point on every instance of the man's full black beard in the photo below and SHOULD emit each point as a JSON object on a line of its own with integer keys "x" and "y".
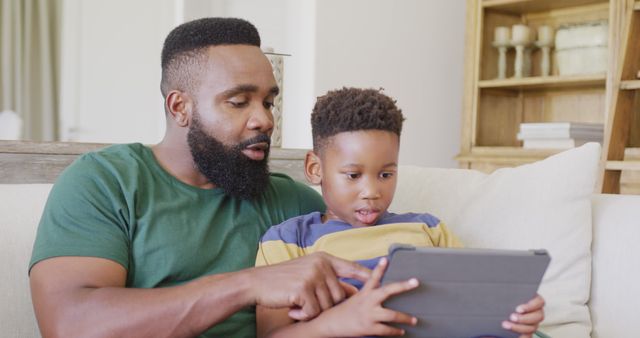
{"x": 227, "y": 167}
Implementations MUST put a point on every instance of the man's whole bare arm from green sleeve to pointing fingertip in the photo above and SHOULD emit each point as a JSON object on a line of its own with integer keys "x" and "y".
{"x": 86, "y": 297}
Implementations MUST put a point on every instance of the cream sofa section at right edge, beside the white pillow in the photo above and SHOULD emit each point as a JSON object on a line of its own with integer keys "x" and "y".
{"x": 615, "y": 290}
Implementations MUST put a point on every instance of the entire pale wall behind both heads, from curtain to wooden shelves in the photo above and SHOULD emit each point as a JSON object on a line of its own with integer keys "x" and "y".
{"x": 412, "y": 48}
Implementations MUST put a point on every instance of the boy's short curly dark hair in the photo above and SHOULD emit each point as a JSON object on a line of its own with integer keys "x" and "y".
{"x": 353, "y": 109}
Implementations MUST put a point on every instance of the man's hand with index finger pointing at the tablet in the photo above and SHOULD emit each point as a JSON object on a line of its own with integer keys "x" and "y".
{"x": 309, "y": 284}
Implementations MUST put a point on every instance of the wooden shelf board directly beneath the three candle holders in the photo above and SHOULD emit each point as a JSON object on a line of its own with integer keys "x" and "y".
{"x": 540, "y": 82}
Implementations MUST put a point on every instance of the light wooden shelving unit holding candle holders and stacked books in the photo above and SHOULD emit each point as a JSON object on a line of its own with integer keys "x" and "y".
{"x": 494, "y": 108}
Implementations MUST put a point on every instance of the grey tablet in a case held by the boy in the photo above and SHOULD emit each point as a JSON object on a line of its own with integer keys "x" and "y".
{"x": 463, "y": 293}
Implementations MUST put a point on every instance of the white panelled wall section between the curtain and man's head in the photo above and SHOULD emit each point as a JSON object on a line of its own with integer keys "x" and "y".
{"x": 110, "y": 73}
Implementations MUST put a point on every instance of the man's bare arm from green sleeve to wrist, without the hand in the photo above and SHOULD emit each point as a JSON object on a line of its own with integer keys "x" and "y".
{"x": 86, "y": 297}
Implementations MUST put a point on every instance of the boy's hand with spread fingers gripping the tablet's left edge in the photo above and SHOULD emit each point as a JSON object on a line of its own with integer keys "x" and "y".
{"x": 363, "y": 314}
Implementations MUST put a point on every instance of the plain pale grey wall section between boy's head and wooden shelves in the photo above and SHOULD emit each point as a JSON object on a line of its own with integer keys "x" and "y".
{"x": 411, "y": 48}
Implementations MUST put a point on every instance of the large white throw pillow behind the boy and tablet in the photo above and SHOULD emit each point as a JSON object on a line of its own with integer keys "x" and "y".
{"x": 540, "y": 205}
